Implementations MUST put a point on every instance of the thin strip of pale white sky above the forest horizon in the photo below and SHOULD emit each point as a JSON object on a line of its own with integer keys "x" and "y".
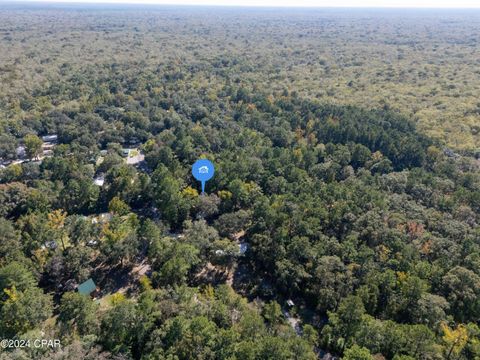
{"x": 300, "y": 3}
